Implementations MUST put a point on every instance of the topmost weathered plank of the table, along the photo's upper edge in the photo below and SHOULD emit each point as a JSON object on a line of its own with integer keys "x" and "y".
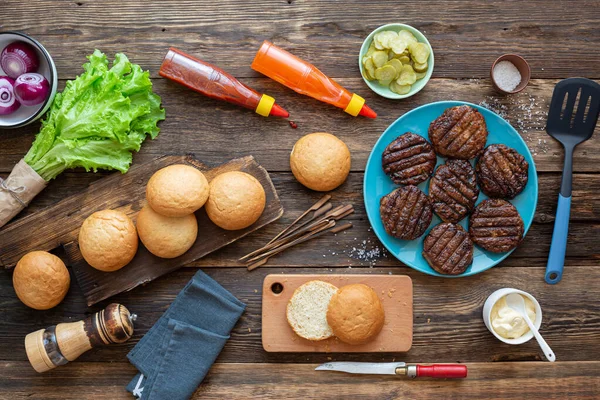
{"x": 465, "y": 38}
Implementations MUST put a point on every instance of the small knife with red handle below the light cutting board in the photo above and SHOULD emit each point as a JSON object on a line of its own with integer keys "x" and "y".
{"x": 443, "y": 371}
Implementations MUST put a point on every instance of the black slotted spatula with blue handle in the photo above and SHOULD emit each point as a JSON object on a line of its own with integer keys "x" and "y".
{"x": 572, "y": 118}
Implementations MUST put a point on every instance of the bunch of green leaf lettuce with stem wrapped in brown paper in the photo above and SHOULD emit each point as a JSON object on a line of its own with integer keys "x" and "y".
{"x": 98, "y": 120}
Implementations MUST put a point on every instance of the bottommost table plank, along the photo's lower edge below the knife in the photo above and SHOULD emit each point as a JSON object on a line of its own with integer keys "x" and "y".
{"x": 503, "y": 380}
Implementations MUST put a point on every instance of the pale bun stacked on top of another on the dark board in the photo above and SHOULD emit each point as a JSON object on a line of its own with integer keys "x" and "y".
{"x": 177, "y": 190}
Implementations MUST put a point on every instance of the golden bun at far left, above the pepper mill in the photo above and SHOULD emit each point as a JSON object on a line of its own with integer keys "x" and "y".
{"x": 41, "y": 280}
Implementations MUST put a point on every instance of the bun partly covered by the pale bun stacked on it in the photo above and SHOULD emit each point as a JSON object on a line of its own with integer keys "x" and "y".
{"x": 166, "y": 237}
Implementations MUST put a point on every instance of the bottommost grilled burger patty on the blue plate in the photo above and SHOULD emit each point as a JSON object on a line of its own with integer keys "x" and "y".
{"x": 448, "y": 249}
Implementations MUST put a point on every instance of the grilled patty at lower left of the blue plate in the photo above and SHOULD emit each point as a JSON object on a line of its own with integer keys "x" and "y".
{"x": 406, "y": 212}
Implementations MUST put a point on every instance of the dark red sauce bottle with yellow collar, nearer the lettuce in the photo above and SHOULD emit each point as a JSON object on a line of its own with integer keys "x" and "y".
{"x": 215, "y": 83}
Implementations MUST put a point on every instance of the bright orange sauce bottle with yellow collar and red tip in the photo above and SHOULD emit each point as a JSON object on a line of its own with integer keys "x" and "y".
{"x": 306, "y": 79}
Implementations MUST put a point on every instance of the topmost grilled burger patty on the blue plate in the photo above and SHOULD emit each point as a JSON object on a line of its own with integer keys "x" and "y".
{"x": 460, "y": 132}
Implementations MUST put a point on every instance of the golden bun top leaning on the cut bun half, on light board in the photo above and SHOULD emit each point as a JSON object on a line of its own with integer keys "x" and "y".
{"x": 355, "y": 314}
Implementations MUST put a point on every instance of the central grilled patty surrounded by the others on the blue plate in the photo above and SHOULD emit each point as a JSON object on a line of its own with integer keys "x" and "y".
{"x": 453, "y": 190}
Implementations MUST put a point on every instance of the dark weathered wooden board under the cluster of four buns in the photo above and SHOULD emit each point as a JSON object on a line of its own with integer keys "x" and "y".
{"x": 59, "y": 225}
